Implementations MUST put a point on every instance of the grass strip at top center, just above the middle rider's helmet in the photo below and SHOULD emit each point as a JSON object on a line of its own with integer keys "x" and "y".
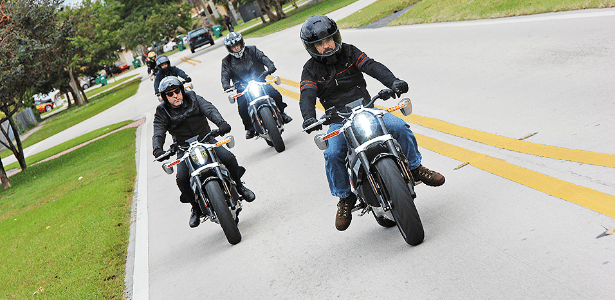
{"x": 296, "y": 17}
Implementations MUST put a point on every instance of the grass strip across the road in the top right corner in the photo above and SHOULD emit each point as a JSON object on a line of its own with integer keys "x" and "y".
{"x": 430, "y": 11}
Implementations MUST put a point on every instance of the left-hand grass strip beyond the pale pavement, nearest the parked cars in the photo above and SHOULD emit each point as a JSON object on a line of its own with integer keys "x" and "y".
{"x": 77, "y": 114}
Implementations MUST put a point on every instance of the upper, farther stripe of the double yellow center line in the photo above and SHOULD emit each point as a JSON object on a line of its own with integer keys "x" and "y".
{"x": 582, "y": 156}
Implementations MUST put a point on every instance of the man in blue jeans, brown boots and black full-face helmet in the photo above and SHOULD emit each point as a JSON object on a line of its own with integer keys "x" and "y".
{"x": 334, "y": 74}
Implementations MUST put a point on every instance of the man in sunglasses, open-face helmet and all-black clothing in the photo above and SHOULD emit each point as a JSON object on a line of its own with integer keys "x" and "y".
{"x": 184, "y": 114}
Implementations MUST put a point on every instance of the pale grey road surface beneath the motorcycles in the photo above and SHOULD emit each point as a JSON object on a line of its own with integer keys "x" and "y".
{"x": 495, "y": 230}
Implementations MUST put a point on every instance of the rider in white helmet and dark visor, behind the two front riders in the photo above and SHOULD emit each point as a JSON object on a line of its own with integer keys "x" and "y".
{"x": 243, "y": 64}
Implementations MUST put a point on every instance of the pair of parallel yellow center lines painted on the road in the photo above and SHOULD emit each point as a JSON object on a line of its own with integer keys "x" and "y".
{"x": 592, "y": 199}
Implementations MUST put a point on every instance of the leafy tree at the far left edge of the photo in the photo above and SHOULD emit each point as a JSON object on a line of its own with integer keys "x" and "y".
{"x": 30, "y": 37}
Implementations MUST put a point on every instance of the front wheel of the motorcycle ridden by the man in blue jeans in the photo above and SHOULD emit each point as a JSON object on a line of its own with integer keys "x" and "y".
{"x": 400, "y": 198}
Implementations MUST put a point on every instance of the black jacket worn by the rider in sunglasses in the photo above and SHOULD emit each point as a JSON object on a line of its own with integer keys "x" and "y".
{"x": 184, "y": 122}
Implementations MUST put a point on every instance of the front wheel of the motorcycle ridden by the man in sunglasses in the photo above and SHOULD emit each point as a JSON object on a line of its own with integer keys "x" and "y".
{"x": 218, "y": 202}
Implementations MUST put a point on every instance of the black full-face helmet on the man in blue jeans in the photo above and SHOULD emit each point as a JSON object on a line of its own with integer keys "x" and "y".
{"x": 317, "y": 28}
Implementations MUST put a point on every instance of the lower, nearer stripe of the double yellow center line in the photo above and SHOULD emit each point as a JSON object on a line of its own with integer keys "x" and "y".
{"x": 586, "y": 197}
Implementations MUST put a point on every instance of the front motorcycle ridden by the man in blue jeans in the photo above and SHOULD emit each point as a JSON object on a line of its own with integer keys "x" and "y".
{"x": 378, "y": 170}
